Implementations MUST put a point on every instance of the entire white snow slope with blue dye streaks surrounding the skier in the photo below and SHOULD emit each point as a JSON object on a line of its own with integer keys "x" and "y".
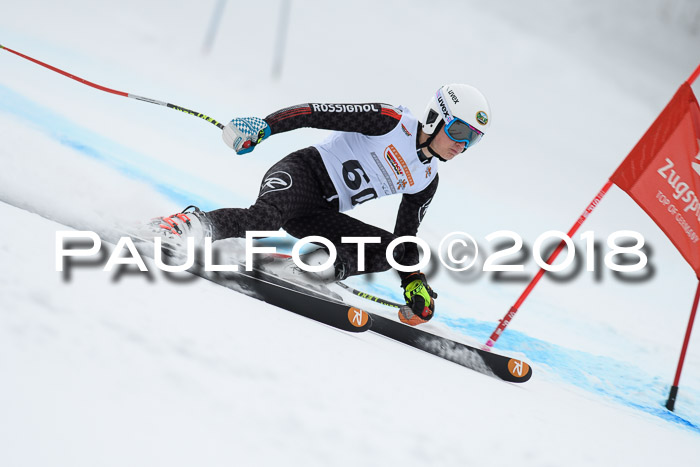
{"x": 106, "y": 371}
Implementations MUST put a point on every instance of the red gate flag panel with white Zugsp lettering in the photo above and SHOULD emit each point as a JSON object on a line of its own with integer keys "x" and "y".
{"x": 662, "y": 174}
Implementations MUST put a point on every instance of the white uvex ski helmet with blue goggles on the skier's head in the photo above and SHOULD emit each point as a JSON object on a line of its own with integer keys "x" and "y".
{"x": 461, "y": 110}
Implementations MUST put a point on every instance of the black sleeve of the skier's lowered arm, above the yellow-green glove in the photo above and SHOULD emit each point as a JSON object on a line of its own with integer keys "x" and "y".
{"x": 411, "y": 212}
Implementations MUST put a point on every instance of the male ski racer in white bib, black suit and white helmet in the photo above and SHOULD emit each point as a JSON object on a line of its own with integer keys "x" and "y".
{"x": 375, "y": 150}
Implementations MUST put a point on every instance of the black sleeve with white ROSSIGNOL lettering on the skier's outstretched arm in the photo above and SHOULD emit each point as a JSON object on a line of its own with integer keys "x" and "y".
{"x": 368, "y": 119}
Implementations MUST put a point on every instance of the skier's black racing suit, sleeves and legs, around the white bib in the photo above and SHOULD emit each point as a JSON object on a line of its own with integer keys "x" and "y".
{"x": 310, "y": 205}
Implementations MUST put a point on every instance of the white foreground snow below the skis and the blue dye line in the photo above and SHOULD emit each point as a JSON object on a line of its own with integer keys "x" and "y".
{"x": 109, "y": 370}
